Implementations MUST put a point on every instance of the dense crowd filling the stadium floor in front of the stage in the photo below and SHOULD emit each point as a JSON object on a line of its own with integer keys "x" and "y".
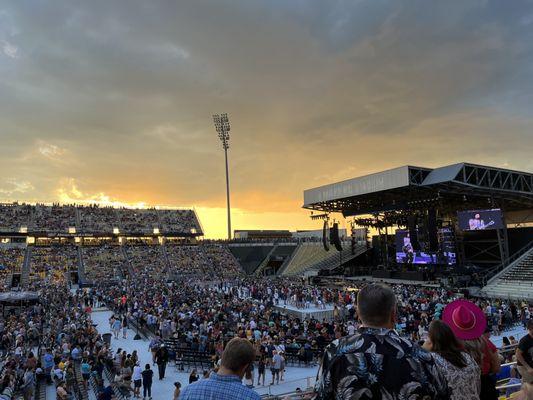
{"x": 203, "y": 315}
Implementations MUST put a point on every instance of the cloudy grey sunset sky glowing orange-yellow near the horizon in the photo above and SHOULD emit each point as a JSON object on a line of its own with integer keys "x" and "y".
{"x": 112, "y": 101}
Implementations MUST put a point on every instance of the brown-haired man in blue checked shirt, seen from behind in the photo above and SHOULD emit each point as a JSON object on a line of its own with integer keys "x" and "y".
{"x": 226, "y": 383}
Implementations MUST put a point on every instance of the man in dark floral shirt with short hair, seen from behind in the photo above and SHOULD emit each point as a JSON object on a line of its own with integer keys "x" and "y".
{"x": 375, "y": 362}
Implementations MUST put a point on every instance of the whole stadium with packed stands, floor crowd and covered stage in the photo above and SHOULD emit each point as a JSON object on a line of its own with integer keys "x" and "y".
{"x": 147, "y": 276}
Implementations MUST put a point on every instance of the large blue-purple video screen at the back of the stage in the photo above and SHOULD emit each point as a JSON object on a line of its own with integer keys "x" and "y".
{"x": 406, "y": 254}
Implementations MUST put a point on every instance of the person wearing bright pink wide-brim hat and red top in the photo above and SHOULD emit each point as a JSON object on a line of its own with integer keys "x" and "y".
{"x": 468, "y": 323}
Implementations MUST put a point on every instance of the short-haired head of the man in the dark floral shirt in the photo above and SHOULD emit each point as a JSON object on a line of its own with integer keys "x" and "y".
{"x": 375, "y": 304}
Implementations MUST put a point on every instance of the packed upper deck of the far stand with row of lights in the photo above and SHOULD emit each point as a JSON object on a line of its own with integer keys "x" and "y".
{"x": 73, "y": 220}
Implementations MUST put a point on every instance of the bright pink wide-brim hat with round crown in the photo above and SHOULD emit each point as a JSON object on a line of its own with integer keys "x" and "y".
{"x": 466, "y": 320}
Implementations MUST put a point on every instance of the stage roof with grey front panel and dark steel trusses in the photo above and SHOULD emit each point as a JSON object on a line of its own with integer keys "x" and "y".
{"x": 455, "y": 187}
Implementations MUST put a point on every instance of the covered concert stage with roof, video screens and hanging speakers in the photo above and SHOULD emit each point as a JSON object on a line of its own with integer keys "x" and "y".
{"x": 456, "y": 215}
